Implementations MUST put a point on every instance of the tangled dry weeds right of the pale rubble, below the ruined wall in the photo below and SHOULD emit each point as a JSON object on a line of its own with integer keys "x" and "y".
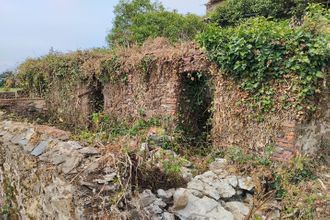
{"x": 295, "y": 184}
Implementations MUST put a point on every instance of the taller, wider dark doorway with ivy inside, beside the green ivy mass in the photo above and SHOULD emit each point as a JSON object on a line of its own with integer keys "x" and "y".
{"x": 195, "y": 108}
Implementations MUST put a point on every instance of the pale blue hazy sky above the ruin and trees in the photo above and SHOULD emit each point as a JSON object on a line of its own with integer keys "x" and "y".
{"x": 30, "y": 28}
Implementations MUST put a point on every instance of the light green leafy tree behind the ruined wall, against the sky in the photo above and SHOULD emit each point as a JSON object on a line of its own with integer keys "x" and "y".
{"x": 138, "y": 20}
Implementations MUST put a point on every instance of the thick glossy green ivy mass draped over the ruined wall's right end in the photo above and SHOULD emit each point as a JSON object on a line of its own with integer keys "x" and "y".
{"x": 259, "y": 51}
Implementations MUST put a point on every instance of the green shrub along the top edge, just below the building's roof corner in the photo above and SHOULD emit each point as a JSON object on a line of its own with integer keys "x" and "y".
{"x": 232, "y": 11}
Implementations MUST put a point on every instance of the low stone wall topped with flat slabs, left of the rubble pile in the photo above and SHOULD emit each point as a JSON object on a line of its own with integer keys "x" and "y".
{"x": 50, "y": 176}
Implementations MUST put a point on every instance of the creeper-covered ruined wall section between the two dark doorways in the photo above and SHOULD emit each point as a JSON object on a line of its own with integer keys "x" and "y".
{"x": 153, "y": 83}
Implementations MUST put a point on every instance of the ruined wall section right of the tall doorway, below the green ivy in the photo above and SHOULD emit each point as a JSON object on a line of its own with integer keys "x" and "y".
{"x": 289, "y": 131}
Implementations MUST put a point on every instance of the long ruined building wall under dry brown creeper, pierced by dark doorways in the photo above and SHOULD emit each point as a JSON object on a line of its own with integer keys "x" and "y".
{"x": 148, "y": 82}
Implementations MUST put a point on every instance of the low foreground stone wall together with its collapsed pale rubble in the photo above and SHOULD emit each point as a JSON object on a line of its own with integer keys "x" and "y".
{"x": 44, "y": 175}
